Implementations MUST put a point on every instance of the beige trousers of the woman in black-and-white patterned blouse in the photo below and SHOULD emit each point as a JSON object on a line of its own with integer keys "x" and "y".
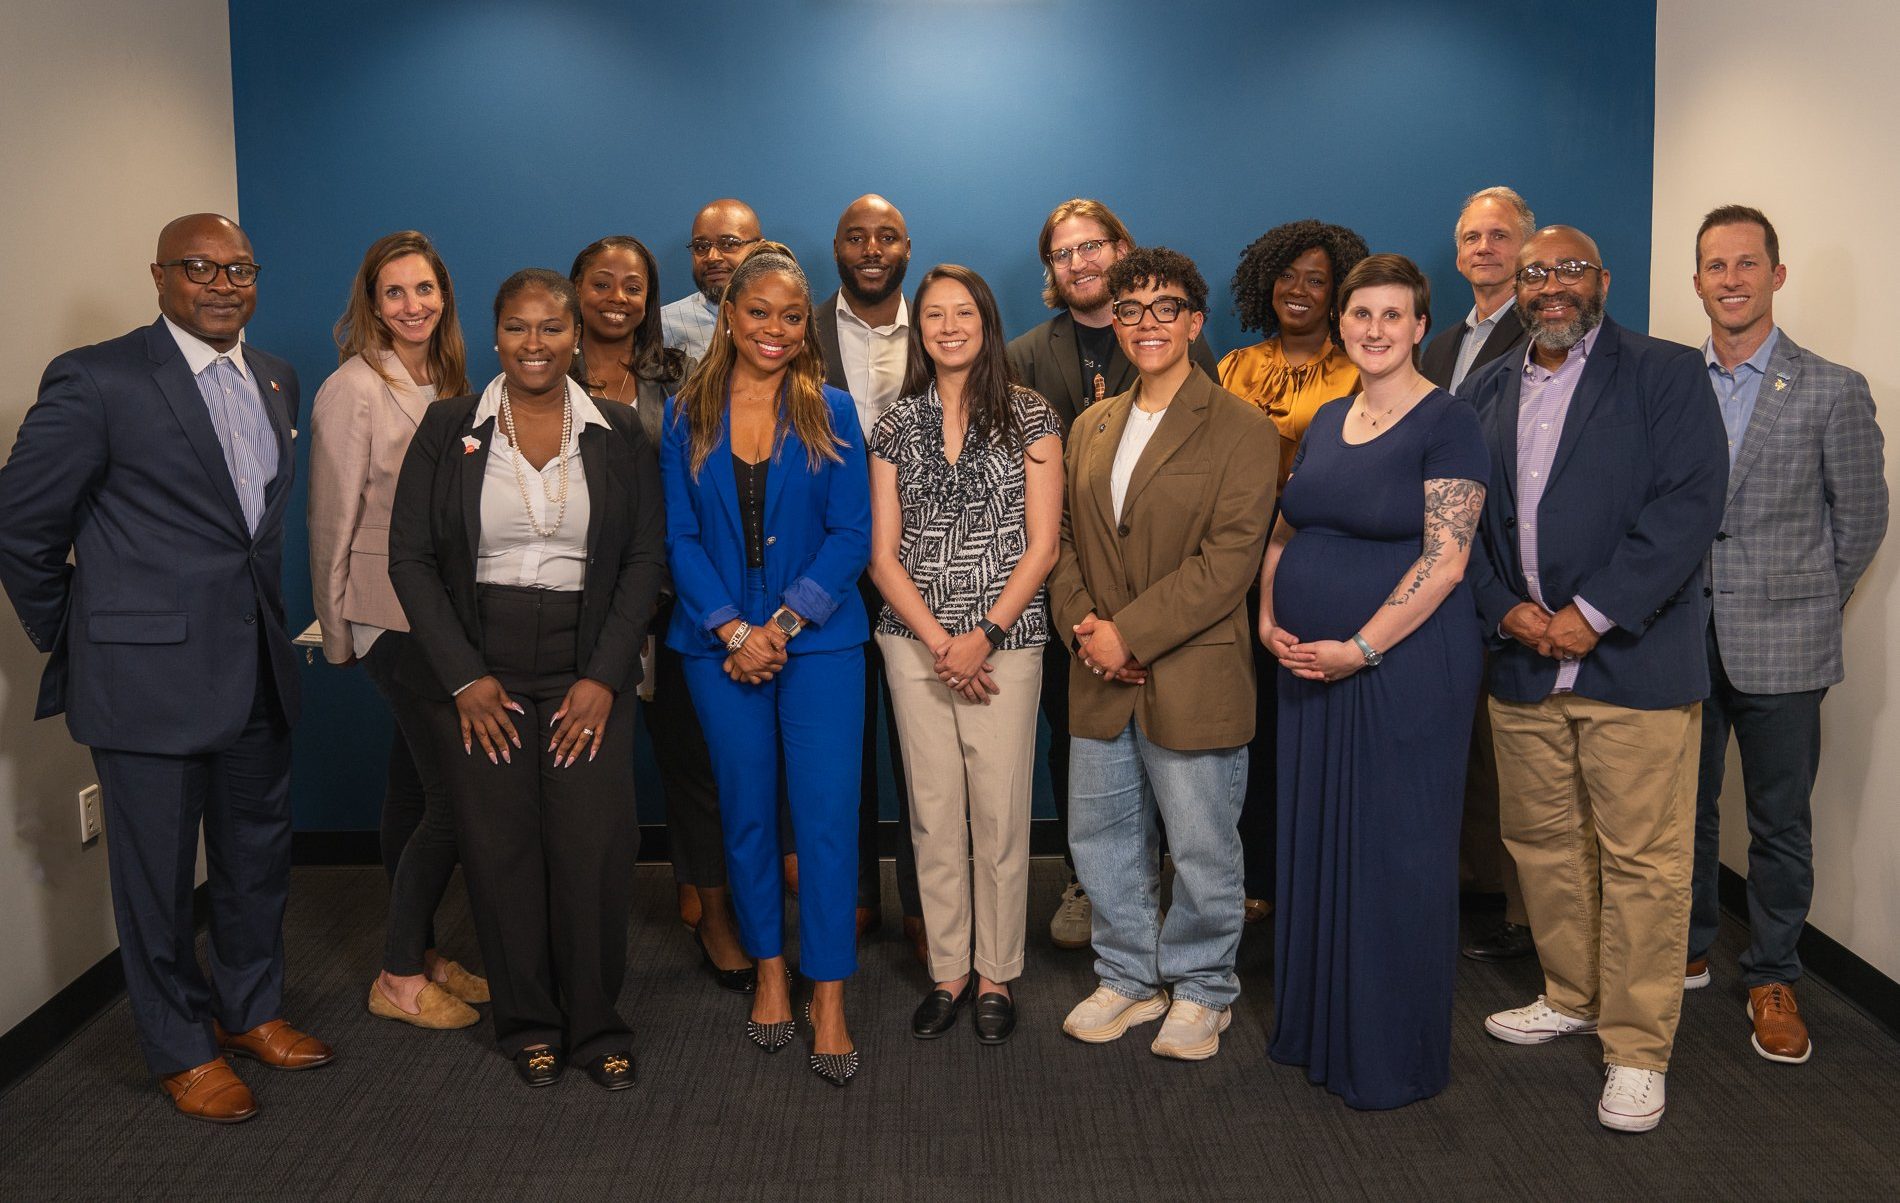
{"x": 974, "y": 763}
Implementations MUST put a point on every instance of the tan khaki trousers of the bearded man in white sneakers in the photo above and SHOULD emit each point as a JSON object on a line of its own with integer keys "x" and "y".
{"x": 1599, "y": 812}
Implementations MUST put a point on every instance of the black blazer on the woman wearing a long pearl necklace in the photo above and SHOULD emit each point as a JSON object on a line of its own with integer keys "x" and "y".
{"x": 436, "y": 527}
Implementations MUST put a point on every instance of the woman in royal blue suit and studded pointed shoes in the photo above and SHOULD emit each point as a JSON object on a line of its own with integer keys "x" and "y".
{"x": 769, "y": 529}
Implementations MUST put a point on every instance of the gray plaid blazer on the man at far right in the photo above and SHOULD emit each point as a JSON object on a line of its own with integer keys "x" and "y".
{"x": 1808, "y": 508}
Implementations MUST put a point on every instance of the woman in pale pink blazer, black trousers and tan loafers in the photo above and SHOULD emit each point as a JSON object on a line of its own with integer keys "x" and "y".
{"x": 400, "y": 347}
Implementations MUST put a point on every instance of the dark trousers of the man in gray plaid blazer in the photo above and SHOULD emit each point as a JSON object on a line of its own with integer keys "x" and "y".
{"x": 1779, "y": 740}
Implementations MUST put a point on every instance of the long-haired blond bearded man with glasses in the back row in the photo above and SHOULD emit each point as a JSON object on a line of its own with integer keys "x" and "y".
{"x": 1074, "y": 360}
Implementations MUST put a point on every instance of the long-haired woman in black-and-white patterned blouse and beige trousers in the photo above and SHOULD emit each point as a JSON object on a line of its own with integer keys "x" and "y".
{"x": 966, "y": 489}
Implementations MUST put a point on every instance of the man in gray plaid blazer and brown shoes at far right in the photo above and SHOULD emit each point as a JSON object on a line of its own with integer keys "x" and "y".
{"x": 1806, "y": 512}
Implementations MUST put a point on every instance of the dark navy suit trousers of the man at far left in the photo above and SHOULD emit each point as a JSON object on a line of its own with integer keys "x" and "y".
{"x": 155, "y": 807}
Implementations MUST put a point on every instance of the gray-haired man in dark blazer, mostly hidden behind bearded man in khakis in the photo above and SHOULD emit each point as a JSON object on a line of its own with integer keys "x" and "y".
{"x": 1491, "y": 229}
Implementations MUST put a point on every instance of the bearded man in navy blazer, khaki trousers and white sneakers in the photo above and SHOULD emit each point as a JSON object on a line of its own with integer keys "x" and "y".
{"x": 1608, "y": 474}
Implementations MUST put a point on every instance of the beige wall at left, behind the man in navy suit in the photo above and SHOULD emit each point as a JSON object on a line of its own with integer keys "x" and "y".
{"x": 119, "y": 117}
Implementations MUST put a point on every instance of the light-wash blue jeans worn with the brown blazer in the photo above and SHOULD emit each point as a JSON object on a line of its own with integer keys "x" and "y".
{"x": 1118, "y": 788}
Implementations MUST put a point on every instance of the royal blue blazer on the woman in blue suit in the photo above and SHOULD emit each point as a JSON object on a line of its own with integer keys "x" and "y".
{"x": 818, "y": 537}
